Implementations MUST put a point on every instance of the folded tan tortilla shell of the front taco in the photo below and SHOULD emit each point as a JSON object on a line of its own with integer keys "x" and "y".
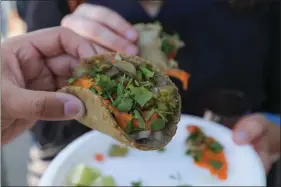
{"x": 101, "y": 116}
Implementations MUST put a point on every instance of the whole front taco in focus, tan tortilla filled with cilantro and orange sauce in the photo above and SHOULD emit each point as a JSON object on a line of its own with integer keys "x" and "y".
{"x": 127, "y": 98}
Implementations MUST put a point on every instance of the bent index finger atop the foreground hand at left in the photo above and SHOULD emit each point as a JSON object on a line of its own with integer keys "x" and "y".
{"x": 49, "y": 43}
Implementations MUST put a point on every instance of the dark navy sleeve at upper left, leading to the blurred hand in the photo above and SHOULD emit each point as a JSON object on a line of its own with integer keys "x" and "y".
{"x": 42, "y": 14}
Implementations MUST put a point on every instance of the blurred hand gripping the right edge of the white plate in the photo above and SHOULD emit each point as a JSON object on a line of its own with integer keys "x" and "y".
{"x": 262, "y": 135}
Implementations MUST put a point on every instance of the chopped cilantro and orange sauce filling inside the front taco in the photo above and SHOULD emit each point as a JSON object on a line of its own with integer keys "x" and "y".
{"x": 138, "y": 98}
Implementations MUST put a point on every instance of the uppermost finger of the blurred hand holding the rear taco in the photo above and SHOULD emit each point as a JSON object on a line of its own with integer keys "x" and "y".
{"x": 109, "y": 18}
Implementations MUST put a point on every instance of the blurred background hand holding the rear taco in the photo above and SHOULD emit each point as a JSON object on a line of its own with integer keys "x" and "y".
{"x": 104, "y": 27}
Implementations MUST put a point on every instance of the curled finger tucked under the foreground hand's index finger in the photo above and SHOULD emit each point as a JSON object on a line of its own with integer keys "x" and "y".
{"x": 62, "y": 65}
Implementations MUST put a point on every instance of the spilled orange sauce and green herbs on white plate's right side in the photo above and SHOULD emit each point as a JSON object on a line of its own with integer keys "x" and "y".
{"x": 206, "y": 152}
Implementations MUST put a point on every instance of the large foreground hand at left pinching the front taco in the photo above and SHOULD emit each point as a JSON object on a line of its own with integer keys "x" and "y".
{"x": 35, "y": 65}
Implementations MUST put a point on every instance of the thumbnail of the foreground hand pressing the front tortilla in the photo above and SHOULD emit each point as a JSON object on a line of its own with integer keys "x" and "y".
{"x": 73, "y": 107}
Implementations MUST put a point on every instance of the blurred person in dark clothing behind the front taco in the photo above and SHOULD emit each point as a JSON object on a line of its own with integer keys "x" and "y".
{"x": 231, "y": 44}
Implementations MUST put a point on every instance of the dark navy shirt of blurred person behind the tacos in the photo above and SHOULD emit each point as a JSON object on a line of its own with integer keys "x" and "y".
{"x": 225, "y": 48}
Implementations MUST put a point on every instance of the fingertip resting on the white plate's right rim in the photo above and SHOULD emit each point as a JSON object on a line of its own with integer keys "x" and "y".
{"x": 249, "y": 129}
